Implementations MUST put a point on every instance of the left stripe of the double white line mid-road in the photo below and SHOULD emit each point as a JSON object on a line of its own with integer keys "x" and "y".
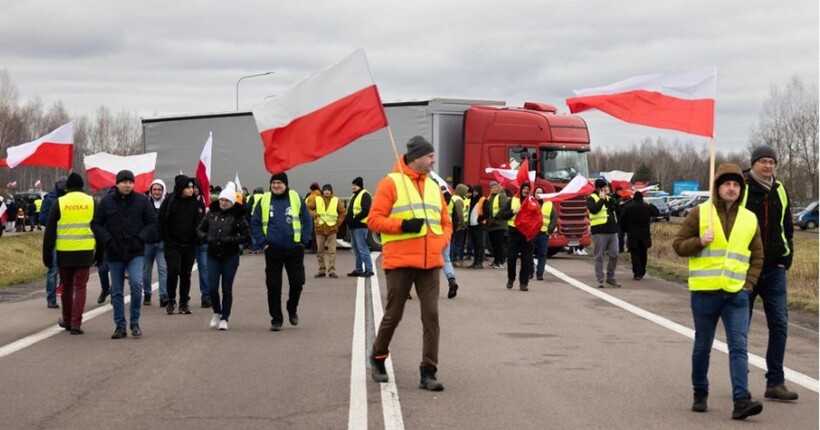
{"x": 357, "y": 414}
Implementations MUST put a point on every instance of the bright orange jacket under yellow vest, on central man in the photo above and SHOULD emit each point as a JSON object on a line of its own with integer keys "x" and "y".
{"x": 420, "y": 253}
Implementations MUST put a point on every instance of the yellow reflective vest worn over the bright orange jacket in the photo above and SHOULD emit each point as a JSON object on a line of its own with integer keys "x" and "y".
{"x": 409, "y": 204}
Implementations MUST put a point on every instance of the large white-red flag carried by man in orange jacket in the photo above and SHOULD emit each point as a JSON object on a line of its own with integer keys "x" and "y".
{"x": 320, "y": 114}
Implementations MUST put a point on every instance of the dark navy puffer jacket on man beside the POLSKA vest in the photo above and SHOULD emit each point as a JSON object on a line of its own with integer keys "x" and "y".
{"x": 124, "y": 223}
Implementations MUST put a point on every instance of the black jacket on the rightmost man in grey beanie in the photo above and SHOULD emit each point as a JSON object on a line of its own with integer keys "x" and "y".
{"x": 773, "y": 225}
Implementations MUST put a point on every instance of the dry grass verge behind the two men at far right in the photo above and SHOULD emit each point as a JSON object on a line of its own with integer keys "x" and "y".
{"x": 802, "y": 278}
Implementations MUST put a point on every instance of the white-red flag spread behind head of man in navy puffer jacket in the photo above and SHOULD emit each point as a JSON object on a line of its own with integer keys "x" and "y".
{"x": 101, "y": 169}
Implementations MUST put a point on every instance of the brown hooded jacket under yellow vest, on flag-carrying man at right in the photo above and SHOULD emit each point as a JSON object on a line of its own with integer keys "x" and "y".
{"x": 687, "y": 241}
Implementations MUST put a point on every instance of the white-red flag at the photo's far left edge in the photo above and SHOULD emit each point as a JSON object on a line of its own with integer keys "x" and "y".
{"x": 55, "y": 149}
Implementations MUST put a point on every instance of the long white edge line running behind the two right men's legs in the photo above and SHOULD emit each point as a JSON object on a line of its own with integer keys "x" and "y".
{"x": 759, "y": 362}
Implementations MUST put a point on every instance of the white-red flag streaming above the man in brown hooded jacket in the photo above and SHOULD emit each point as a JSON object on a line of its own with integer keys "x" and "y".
{"x": 676, "y": 101}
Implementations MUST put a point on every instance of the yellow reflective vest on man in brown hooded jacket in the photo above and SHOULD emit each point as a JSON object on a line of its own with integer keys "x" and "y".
{"x": 724, "y": 263}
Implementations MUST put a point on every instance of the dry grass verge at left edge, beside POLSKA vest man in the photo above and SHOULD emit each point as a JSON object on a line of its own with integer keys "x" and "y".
{"x": 22, "y": 258}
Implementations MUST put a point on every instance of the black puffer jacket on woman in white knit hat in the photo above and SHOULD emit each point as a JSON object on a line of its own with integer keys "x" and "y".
{"x": 224, "y": 230}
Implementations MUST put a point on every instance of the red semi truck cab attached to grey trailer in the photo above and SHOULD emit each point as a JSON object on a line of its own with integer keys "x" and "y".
{"x": 555, "y": 144}
